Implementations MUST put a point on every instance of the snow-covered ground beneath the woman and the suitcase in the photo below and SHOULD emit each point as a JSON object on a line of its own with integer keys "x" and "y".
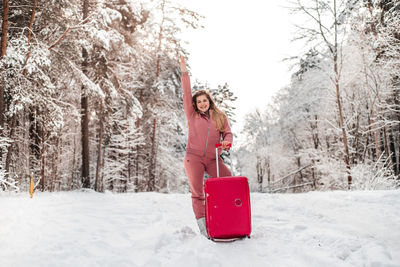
{"x": 151, "y": 229}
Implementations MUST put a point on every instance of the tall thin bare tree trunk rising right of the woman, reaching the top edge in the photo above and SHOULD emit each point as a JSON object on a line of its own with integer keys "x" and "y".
{"x": 338, "y": 100}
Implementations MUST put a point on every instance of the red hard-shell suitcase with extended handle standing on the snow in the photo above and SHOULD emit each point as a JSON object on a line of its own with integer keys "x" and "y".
{"x": 228, "y": 213}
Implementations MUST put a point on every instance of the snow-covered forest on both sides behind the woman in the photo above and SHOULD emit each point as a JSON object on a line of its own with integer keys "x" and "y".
{"x": 90, "y": 97}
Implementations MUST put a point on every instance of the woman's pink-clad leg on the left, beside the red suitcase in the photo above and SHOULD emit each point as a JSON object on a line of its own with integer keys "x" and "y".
{"x": 194, "y": 168}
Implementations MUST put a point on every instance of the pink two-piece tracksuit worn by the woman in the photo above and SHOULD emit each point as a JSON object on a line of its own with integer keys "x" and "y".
{"x": 200, "y": 148}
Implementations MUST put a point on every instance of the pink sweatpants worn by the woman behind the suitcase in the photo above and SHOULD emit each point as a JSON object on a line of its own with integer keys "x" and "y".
{"x": 195, "y": 166}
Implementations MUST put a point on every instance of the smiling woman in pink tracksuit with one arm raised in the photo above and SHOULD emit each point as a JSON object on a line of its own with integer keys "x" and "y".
{"x": 208, "y": 126}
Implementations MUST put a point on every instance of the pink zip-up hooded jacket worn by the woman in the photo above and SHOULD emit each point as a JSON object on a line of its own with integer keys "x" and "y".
{"x": 203, "y": 133}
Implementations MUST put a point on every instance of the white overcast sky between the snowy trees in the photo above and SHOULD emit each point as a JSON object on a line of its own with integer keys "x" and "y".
{"x": 243, "y": 43}
